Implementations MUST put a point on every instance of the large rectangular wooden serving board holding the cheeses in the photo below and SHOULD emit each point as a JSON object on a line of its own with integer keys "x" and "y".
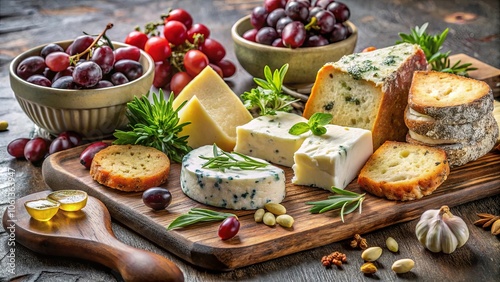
{"x": 256, "y": 242}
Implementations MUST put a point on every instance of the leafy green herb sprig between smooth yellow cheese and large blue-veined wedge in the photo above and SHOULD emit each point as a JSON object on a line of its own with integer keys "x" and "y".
{"x": 268, "y": 97}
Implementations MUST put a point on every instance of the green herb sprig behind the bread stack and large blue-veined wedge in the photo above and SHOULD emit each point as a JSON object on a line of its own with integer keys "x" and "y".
{"x": 431, "y": 45}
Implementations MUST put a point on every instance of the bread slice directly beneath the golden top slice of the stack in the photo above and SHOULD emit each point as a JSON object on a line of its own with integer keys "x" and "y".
{"x": 448, "y": 133}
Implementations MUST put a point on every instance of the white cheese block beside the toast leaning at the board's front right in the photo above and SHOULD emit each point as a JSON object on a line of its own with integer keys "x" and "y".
{"x": 332, "y": 159}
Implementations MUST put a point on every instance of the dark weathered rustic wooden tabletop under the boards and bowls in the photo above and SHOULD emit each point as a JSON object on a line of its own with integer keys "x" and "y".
{"x": 24, "y": 24}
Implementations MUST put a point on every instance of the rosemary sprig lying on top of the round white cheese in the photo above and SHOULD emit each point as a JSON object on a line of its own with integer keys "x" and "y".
{"x": 223, "y": 160}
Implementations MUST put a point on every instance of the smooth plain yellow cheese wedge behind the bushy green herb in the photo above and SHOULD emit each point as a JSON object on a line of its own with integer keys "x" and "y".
{"x": 222, "y": 108}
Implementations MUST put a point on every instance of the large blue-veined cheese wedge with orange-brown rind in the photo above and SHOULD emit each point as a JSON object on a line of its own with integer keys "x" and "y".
{"x": 368, "y": 90}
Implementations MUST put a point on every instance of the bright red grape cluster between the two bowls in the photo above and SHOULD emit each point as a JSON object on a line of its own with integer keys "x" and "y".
{"x": 180, "y": 50}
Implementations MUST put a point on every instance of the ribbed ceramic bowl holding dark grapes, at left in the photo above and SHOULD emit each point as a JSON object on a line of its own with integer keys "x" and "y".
{"x": 94, "y": 113}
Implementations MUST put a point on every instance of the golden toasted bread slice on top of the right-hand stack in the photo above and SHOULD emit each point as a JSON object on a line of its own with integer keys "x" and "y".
{"x": 449, "y": 97}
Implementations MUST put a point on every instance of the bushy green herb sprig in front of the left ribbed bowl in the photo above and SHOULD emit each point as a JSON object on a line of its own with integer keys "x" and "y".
{"x": 155, "y": 125}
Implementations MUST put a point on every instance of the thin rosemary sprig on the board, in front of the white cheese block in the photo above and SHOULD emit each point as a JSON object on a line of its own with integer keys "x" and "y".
{"x": 344, "y": 200}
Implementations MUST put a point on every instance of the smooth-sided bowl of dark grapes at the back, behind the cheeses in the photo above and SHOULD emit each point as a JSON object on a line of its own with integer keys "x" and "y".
{"x": 304, "y": 63}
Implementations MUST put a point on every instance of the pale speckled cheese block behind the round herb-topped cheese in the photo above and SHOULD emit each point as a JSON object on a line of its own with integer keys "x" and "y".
{"x": 267, "y": 137}
